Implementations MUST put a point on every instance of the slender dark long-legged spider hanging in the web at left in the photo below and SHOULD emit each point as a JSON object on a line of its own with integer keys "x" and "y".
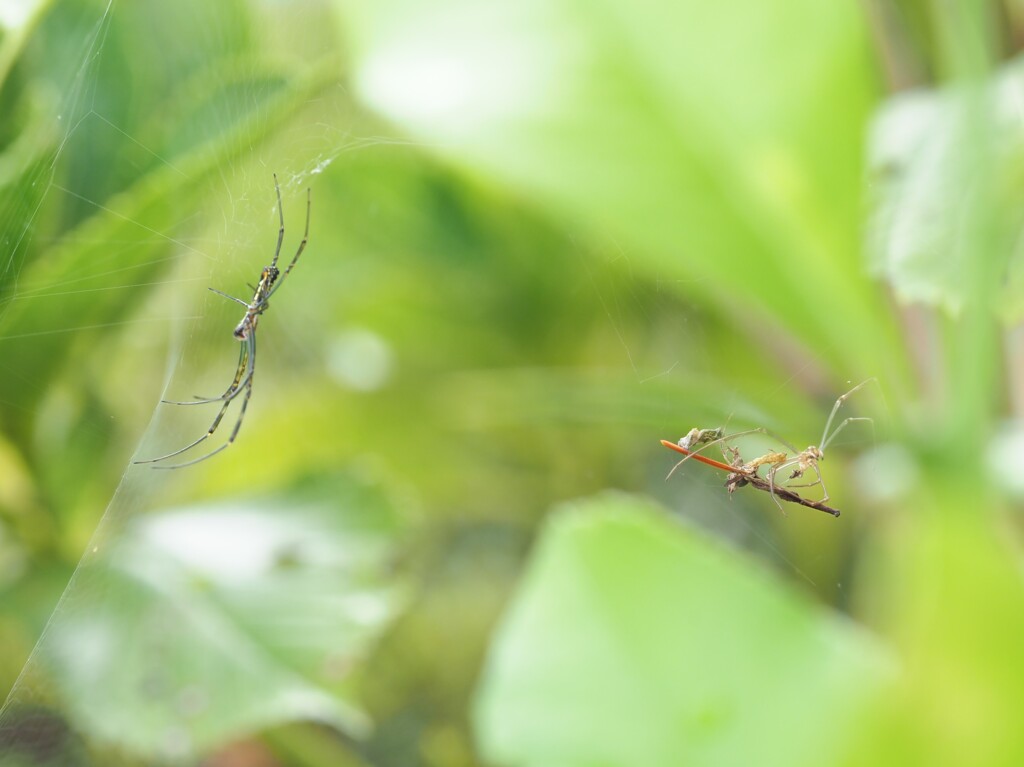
{"x": 245, "y": 332}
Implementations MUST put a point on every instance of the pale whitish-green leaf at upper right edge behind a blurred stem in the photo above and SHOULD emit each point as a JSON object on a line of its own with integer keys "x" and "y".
{"x": 926, "y": 177}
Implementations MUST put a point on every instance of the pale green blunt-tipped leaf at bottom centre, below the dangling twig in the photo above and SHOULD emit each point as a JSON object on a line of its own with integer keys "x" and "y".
{"x": 638, "y": 642}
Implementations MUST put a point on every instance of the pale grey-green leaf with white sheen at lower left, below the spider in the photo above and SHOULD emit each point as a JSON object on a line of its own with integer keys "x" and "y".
{"x": 201, "y": 625}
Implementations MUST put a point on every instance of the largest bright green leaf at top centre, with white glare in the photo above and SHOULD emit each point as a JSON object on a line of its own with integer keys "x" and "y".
{"x": 727, "y": 156}
